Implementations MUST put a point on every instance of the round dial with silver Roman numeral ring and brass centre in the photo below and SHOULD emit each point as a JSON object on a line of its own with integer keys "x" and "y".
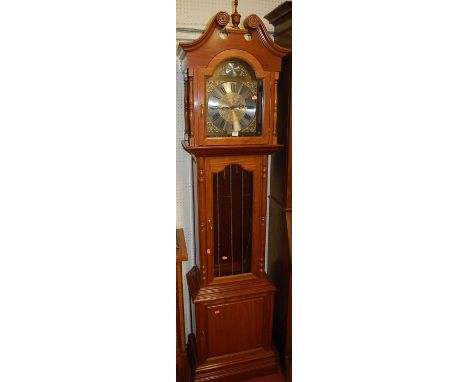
{"x": 232, "y": 106}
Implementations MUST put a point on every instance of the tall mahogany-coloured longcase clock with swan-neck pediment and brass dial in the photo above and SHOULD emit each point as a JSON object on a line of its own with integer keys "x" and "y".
{"x": 230, "y": 129}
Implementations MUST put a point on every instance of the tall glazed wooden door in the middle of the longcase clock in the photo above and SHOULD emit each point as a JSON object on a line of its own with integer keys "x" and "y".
{"x": 233, "y": 190}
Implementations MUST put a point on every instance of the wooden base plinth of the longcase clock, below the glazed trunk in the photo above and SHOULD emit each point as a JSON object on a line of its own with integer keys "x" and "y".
{"x": 237, "y": 344}
